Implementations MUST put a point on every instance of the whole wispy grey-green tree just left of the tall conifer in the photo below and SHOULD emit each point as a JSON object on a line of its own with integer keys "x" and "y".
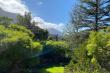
{"x": 73, "y": 33}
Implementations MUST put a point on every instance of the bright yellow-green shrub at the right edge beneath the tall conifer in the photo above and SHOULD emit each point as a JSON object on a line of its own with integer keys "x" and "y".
{"x": 101, "y": 50}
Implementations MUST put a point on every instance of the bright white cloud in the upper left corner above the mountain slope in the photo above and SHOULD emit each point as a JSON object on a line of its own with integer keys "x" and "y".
{"x": 13, "y": 6}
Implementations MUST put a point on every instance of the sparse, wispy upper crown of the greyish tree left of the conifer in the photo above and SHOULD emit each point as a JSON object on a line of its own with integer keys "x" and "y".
{"x": 76, "y": 19}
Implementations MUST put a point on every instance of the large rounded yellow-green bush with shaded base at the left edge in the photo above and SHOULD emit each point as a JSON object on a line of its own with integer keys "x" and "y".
{"x": 16, "y": 45}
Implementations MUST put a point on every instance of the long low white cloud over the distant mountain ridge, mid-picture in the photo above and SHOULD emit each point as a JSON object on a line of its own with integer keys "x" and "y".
{"x": 46, "y": 25}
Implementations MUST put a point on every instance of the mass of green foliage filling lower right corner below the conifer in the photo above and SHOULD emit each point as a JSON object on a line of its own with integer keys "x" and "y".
{"x": 93, "y": 56}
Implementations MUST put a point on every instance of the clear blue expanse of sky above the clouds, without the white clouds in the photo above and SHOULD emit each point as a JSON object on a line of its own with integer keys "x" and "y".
{"x": 54, "y": 11}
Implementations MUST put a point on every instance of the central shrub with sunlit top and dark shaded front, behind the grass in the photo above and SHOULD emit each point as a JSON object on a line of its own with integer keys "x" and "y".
{"x": 55, "y": 52}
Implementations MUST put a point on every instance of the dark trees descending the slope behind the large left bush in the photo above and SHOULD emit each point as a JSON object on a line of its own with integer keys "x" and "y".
{"x": 26, "y": 20}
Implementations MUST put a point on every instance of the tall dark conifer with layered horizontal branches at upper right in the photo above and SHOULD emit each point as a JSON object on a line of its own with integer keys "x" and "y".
{"x": 97, "y": 13}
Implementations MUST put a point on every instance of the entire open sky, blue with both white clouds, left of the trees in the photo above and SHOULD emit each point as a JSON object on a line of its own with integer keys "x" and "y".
{"x": 50, "y": 13}
